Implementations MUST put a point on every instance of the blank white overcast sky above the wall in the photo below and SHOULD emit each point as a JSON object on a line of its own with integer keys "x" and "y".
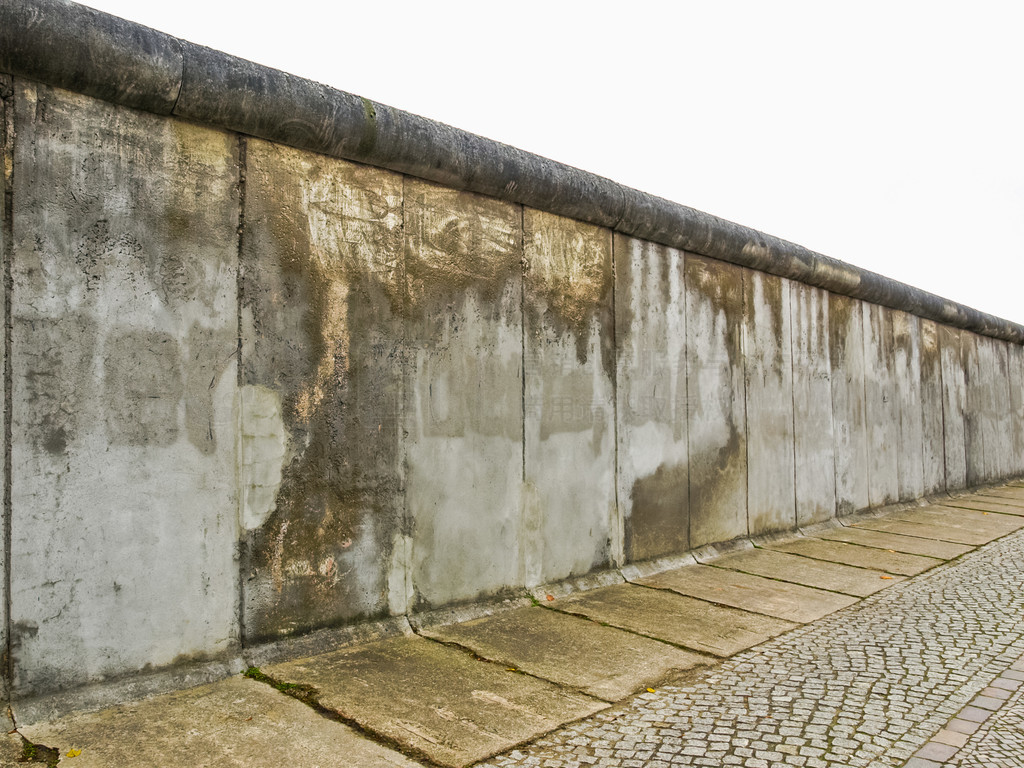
{"x": 887, "y": 135}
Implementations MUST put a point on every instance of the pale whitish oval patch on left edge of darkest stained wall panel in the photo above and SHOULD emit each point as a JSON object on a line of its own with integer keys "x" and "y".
{"x": 264, "y": 449}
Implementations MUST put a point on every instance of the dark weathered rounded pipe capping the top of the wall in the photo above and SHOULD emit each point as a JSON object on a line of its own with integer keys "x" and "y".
{"x": 64, "y": 45}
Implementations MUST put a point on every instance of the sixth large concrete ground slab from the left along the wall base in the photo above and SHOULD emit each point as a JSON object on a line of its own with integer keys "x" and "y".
{"x": 797, "y": 570}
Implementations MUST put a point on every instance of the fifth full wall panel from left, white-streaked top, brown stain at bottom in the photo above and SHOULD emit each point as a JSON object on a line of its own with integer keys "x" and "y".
{"x": 651, "y": 336}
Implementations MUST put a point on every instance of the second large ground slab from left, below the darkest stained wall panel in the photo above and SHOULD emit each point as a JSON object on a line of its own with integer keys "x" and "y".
{"x": 436, "y": 701}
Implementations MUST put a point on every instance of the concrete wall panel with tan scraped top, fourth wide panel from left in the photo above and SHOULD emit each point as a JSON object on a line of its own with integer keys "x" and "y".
{"x": 570, "y": 400}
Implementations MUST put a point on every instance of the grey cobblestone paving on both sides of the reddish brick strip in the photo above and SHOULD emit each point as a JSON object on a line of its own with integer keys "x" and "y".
{"x": 866, "y": 687}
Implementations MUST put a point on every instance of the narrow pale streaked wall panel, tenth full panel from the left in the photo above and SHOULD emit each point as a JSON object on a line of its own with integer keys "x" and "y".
{"x": 881, "y": 407}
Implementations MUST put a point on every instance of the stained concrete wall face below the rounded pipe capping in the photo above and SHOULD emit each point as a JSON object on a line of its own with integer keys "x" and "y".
{"x": 257, "y": 391}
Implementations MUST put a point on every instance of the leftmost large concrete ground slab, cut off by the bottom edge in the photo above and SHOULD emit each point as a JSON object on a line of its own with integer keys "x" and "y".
{"x": 236, "y": 722}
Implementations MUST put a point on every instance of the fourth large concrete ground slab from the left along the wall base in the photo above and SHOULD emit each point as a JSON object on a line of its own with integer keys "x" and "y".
{"x": 675, "y": 619}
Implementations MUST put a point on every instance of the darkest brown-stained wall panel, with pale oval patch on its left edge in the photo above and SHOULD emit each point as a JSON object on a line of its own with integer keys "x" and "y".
{"x": 322, "y": 298}
